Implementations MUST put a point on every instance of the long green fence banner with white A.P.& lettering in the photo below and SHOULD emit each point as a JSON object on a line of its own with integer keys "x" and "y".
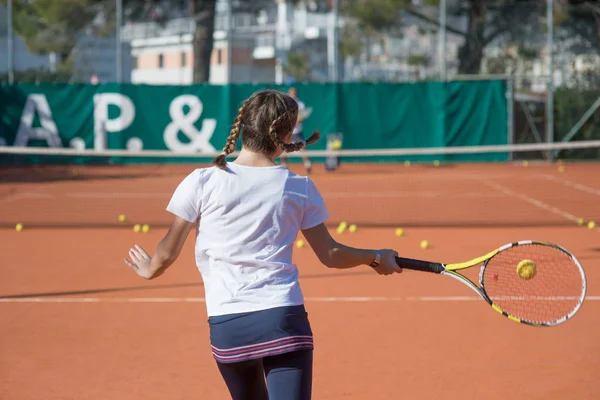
{"x": 198, "y": 118}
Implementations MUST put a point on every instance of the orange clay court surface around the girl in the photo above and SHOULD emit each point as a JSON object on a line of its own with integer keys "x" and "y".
{"x": 77, "y": 323}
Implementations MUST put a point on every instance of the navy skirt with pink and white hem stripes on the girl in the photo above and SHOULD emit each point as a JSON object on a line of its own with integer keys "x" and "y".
{"x": 252, "y": 335}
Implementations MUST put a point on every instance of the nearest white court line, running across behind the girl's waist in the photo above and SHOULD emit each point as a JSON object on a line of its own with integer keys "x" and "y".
{"x": 307, "y": 299}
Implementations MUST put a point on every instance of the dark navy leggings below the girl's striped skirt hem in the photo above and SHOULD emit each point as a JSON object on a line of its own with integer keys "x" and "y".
{"x": 288, "y": 377}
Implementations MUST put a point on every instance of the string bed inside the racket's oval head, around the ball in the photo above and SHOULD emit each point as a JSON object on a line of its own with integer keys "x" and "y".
{"x": 552, "y": 293}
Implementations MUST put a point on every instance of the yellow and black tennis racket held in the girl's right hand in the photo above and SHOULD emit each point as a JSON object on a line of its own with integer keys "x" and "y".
{"x": 529, "y": 282}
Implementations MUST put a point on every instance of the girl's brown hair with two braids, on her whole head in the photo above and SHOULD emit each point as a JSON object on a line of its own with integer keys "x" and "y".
{"x": 266, "y": 117}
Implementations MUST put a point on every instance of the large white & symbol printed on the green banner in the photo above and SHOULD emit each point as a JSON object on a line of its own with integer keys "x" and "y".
{"x": 184, "y": 123}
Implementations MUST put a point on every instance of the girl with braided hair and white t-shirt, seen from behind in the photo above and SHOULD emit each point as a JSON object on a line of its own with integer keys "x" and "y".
{"x": 248, "y": 214}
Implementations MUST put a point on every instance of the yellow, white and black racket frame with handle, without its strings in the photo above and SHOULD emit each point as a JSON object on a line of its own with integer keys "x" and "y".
{"x": 451, "y": 271}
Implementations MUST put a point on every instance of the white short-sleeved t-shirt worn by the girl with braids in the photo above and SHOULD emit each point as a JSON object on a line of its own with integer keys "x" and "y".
{"x": 249, "y": 221}
